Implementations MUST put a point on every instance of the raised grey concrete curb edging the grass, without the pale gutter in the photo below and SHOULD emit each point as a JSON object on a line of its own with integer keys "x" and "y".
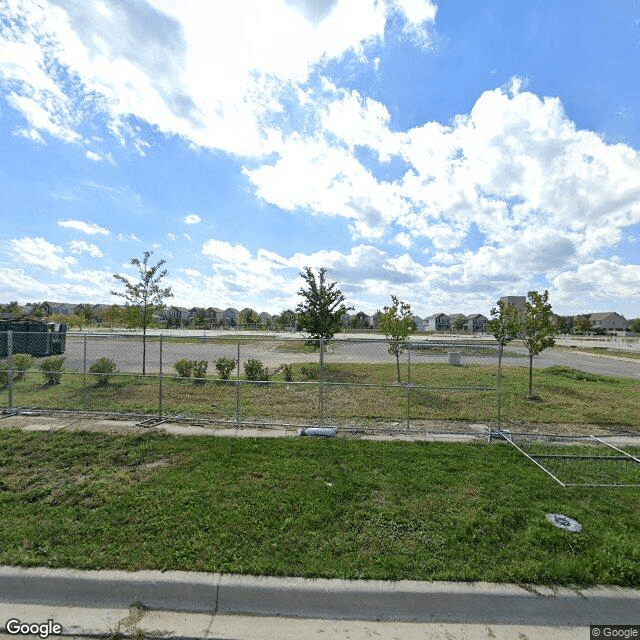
{"x": 404, "y": 601}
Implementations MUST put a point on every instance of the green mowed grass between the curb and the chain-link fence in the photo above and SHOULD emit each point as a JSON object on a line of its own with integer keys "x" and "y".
{"x": 306, "y": 507}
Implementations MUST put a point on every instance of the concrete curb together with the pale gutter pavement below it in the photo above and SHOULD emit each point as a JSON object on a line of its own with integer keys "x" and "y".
{"x": 185, "y": 604}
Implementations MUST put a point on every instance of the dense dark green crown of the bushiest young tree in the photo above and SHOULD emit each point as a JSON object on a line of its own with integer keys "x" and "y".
{"x": 322, "y": 306}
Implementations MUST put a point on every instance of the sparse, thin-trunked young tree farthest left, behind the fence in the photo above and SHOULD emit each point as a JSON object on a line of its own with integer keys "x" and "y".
{"x": 144, "y": 295}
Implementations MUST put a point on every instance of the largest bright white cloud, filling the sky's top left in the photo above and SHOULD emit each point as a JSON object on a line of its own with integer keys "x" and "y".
{"x": 149, "y": 60}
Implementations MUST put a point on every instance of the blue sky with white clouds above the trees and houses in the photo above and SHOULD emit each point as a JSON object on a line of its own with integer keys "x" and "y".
{"x": 447, "y": 152}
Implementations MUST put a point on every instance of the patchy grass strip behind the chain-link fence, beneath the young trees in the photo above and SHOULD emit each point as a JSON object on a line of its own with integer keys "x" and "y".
{"x": 563, "y": 395}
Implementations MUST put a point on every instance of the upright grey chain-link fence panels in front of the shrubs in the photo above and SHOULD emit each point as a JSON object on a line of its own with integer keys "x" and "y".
{"x": 352, "y": 382}
